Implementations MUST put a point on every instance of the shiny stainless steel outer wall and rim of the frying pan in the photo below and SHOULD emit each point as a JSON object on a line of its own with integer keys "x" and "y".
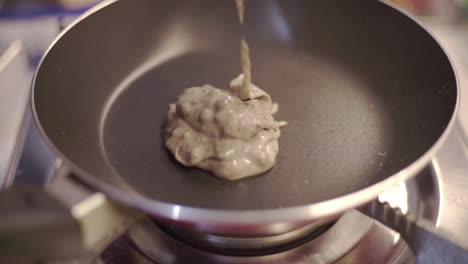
{"x": 256, "y": 221}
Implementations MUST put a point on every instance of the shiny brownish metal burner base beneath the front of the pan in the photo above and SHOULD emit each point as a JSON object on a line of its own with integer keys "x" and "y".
{"x": 354, "y": 238}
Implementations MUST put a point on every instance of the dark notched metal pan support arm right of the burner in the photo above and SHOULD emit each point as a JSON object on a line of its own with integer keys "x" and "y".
{"x": 431, "y": 245}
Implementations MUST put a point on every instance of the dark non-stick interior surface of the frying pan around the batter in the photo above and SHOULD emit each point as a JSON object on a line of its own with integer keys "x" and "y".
{"x": 366, "y": 91}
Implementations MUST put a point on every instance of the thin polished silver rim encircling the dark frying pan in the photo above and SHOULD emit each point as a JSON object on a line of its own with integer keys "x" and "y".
{"x": 300, "y": 213}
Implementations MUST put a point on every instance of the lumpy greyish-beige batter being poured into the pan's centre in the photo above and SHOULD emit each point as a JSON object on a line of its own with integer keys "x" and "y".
{"x": 230, "y": 133}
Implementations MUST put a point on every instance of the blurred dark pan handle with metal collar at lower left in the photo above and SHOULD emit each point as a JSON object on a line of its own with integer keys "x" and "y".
{"x": 63, "y": 221}
